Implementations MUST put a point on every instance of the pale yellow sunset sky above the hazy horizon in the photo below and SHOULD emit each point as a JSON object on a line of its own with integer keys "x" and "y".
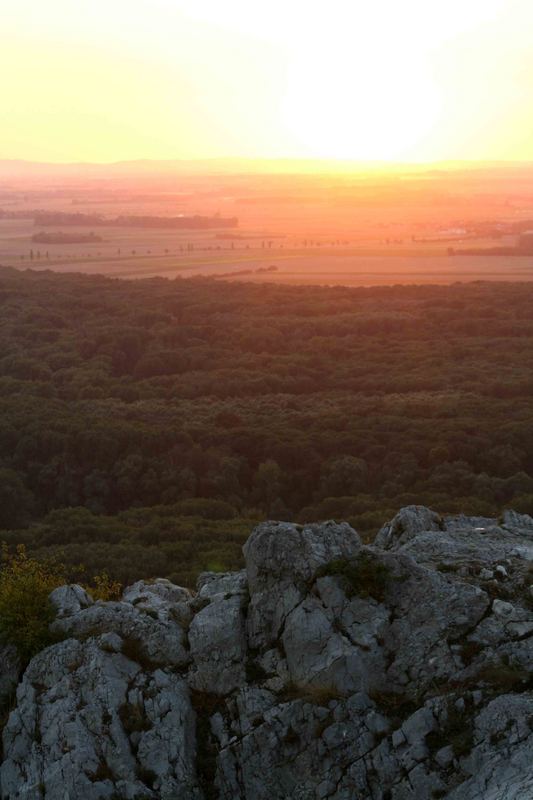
{"x": 417, "y": 80}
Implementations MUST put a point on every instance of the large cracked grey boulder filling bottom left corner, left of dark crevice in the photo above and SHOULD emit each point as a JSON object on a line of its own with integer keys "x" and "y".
{"x": 94, "y": 724}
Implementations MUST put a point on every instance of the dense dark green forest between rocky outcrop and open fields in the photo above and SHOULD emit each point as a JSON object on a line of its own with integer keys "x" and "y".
{"x": 147, "y": 425}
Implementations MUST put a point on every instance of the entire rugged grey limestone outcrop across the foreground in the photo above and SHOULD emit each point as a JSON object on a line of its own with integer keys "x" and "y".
{"x": 326, "y": 670}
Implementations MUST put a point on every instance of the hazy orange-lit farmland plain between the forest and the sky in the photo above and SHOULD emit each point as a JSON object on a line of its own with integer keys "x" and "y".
{"x": 289, "y": 222}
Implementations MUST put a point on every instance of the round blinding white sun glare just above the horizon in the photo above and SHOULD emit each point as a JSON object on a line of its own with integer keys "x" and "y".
{"x": 357, "y": 100}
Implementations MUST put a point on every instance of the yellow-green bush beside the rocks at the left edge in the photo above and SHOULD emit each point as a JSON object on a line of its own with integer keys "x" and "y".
{"x": 25, "y": 611}
